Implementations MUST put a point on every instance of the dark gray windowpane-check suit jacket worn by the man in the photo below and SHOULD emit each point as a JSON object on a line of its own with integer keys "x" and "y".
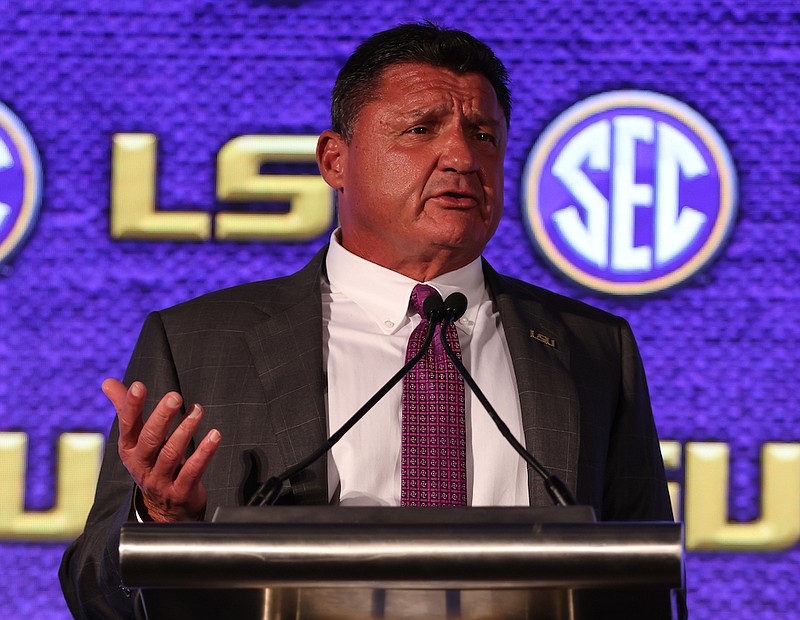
{"x": 252, "y": 355}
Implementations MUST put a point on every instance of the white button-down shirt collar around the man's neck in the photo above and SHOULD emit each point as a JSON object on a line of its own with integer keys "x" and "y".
{"x": 383, "y": 294}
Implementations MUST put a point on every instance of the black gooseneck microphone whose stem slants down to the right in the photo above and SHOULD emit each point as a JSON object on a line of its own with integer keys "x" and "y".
{"x": 454, "y": 307}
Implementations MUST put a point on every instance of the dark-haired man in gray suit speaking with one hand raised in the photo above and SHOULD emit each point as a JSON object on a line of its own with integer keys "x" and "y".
{"x": 420, "y": 120}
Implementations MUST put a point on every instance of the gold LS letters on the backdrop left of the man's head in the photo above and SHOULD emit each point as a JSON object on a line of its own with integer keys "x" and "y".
{"x": 135, "y": 214}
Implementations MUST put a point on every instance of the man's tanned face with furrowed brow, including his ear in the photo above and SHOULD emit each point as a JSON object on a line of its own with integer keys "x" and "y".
{"x": 421, "y": 181}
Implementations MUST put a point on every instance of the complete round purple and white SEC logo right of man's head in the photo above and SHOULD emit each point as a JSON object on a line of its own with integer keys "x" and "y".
{"x": 629, "y": 192}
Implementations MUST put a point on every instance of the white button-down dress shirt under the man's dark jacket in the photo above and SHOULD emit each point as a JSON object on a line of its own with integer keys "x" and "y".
{"x": 366, "y": 326}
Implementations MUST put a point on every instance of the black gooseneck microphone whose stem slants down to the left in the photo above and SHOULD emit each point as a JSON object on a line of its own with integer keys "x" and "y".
{"x": 269, "y": 492}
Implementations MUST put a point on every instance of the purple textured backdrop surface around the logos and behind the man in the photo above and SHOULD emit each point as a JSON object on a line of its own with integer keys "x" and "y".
{"x": 721, "y": 351}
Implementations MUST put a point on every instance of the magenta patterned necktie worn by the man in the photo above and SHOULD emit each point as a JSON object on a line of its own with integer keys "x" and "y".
{"x": 434, "y": 434}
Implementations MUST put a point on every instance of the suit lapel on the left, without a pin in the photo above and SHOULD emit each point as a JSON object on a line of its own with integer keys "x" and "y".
{"x": 287, "y": 354}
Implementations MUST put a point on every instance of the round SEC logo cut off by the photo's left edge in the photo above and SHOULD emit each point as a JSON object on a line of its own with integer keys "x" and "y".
{"x": 20, "y": 183}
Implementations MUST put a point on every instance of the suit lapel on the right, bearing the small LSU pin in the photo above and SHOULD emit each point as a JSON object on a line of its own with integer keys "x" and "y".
{"x": 540, "y": 353}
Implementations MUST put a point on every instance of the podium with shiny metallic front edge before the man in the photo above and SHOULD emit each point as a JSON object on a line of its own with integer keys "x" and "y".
{"x": 304, "y": 563}
